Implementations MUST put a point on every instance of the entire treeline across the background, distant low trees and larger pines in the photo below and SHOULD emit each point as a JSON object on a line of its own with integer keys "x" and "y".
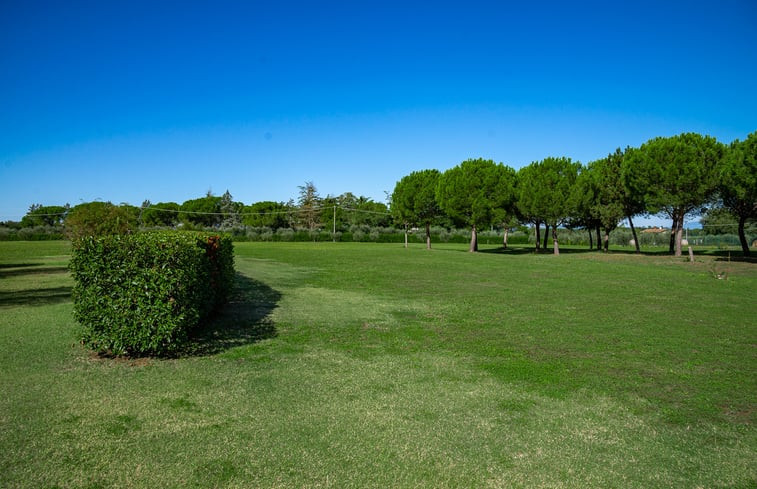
{"x": 676, "y": 176}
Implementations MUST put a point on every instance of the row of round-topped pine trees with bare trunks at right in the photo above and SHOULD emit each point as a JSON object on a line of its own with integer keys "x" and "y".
{"x": 676, "y": 176}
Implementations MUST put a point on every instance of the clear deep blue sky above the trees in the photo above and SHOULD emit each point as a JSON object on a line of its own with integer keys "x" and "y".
{"x": 127, "y": 101}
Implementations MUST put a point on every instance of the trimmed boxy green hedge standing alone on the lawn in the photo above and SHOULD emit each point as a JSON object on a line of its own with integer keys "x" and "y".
{"x": 141, "y": 294}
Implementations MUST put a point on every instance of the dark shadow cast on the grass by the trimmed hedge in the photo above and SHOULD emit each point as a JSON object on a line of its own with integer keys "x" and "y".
{"x": 245, "y": 320}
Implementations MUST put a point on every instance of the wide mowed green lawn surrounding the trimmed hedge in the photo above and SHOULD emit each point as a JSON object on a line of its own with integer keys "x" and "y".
{"x": 361, "y": 365}
